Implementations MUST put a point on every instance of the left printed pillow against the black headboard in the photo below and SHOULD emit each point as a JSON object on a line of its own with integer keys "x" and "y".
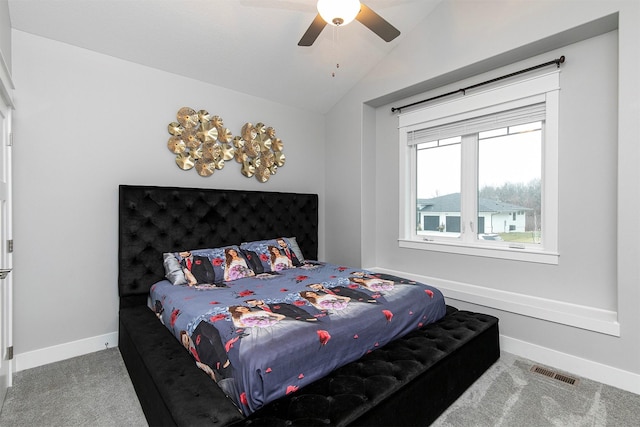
{"x": 207, "y": 266}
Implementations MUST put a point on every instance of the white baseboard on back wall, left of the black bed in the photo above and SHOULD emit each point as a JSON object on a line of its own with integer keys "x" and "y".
{"x": 44, "y": 356}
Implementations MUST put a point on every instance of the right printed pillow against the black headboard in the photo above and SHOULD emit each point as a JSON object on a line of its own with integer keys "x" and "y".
{"x": 275, "y": 254}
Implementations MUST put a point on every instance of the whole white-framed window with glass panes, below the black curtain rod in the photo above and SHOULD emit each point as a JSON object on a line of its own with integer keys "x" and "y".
{"x": 479, "y": 173}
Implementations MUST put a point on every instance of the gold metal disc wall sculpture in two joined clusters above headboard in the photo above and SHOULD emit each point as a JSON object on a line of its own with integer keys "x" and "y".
{"x": 200, "y": 140}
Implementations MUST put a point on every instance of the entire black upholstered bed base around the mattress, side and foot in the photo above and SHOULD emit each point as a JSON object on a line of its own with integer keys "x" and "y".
{"x": 409, "y": 381}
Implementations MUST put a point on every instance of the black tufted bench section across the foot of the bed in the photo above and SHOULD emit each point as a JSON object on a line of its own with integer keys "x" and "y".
{"x": 408, "y": 382}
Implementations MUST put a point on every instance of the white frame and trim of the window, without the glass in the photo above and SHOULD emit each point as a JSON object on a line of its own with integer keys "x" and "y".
{"x": 542, "y": 88}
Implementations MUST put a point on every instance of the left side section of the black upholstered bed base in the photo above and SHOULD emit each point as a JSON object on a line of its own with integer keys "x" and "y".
{"x": 172, "y": 390}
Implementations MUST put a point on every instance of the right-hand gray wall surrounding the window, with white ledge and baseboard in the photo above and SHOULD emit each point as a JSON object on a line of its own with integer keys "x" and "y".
{"x": 598, "y": 271}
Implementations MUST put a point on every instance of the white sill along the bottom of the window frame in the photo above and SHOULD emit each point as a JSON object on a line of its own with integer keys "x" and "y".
{"x": 499, "y": 252}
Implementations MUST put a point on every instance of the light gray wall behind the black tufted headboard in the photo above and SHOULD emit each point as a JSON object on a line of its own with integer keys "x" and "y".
{"x": 84, "y": 124}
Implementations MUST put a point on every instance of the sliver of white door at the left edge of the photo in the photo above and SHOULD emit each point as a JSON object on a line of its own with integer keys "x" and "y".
{"x": 6, "y": 247}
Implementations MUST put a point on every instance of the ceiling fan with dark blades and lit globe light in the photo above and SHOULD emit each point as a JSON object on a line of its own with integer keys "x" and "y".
{"x": 341, "y": 12}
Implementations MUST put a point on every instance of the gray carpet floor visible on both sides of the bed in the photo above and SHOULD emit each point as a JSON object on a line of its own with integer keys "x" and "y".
{"x": 94, "y": 390}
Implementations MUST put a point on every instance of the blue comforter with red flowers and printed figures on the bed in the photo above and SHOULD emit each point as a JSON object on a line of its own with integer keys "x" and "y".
{"x": 266, "y": 336}
